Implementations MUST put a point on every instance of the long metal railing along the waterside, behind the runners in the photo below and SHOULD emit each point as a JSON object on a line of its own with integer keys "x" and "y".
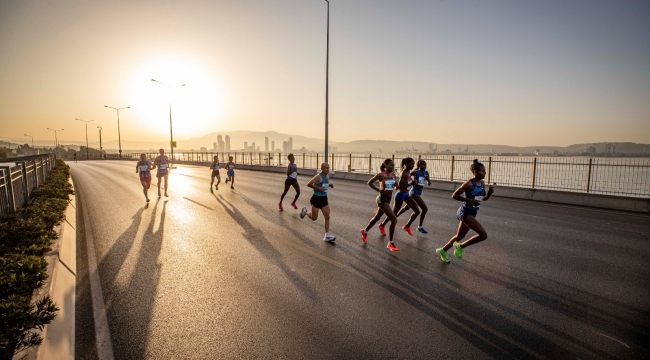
{"x": 609, "y": 176}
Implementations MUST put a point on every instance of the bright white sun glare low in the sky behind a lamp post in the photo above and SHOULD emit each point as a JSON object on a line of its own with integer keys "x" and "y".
{"x": 196, "y": 107}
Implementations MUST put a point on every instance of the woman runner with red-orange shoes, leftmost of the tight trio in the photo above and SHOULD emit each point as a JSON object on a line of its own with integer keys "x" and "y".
{"x": 386, "y": 180}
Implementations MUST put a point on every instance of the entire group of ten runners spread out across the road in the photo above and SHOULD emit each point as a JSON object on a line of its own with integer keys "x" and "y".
{"x": 408, "y": 186}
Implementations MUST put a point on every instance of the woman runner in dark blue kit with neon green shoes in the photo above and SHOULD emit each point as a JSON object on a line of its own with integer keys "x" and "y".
{"x": 471, "y": 193}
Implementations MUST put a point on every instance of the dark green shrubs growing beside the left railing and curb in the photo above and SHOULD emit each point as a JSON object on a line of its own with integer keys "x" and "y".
{"x": 25, "y": 238}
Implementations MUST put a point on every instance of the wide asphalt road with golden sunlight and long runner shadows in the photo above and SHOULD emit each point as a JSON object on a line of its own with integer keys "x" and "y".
{"x": 203, "y": 276}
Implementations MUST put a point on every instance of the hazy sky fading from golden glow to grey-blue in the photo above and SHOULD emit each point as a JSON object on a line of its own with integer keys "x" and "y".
{"x": 500, "y": 72}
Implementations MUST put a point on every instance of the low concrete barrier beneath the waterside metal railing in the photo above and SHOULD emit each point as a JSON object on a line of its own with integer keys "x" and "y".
{"x": 632, "y": 204}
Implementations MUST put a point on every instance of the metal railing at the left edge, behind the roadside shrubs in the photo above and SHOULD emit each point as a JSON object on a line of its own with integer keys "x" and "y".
{"x": 18, "y": 181}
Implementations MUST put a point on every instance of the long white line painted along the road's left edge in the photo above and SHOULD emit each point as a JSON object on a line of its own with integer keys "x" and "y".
{"x": 102, "y": 332}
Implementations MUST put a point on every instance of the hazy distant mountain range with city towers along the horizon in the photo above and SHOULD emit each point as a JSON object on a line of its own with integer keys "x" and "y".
{"x": 306, "y": 144}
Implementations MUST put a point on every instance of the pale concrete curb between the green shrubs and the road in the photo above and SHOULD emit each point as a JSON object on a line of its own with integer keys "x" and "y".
{"x": 59, "y": 335}
